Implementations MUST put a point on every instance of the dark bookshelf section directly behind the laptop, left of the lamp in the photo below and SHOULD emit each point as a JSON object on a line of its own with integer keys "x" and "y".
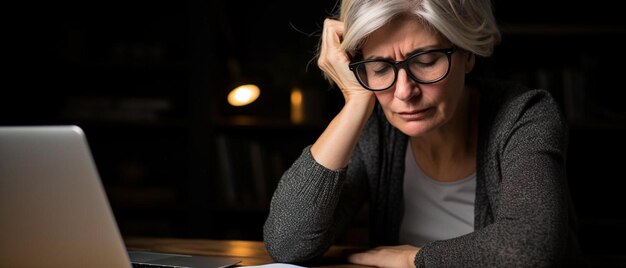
{"x": 128, "y": 73}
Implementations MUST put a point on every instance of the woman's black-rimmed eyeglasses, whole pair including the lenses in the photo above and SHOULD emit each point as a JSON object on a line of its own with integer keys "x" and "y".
{"x": 425, "y": 67}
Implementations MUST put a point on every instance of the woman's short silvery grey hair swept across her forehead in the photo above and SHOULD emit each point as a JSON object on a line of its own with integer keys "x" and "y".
{"x": 469, "y": 24}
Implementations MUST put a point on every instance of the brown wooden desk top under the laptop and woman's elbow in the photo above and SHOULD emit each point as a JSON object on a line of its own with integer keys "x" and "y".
{"x": 250, "y": 252}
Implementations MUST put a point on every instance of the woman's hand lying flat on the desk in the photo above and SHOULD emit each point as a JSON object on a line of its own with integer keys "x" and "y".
{"x": 388, "y": 256}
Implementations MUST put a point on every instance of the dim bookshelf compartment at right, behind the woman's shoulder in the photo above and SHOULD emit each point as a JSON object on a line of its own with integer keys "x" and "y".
{"x": 573, "y": 63}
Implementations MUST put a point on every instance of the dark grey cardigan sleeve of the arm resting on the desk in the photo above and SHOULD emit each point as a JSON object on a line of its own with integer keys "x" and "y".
{"x": 524, "y": 180}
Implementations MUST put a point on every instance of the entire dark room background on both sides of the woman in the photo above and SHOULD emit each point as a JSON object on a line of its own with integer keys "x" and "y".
{"x": 147, "y": 81}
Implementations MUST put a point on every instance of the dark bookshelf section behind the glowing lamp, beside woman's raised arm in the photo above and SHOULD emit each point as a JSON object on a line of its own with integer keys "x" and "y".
{"x": 251, "y": 146}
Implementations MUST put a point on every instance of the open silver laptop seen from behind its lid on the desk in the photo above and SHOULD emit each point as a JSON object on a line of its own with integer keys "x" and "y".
{"x": 54, "y": 211}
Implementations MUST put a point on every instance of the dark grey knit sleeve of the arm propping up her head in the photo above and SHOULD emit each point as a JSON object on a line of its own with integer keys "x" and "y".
{"x": 310, "y": 208}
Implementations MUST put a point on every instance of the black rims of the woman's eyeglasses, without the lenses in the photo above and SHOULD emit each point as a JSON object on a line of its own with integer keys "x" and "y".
{"x": 403, "y": 64}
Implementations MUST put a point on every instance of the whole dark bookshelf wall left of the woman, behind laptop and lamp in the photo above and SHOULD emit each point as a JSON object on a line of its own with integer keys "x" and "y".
{"x": 145, "y": 80}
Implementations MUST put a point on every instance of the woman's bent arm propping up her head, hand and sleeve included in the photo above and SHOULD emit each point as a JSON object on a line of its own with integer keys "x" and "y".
{"x": 314, "y": 200}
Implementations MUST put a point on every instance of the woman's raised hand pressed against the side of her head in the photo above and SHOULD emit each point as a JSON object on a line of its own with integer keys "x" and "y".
{"x": 334, "y": 62}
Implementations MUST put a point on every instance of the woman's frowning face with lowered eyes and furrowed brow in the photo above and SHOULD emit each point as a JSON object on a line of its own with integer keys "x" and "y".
{"x": 416, "y": 109}
